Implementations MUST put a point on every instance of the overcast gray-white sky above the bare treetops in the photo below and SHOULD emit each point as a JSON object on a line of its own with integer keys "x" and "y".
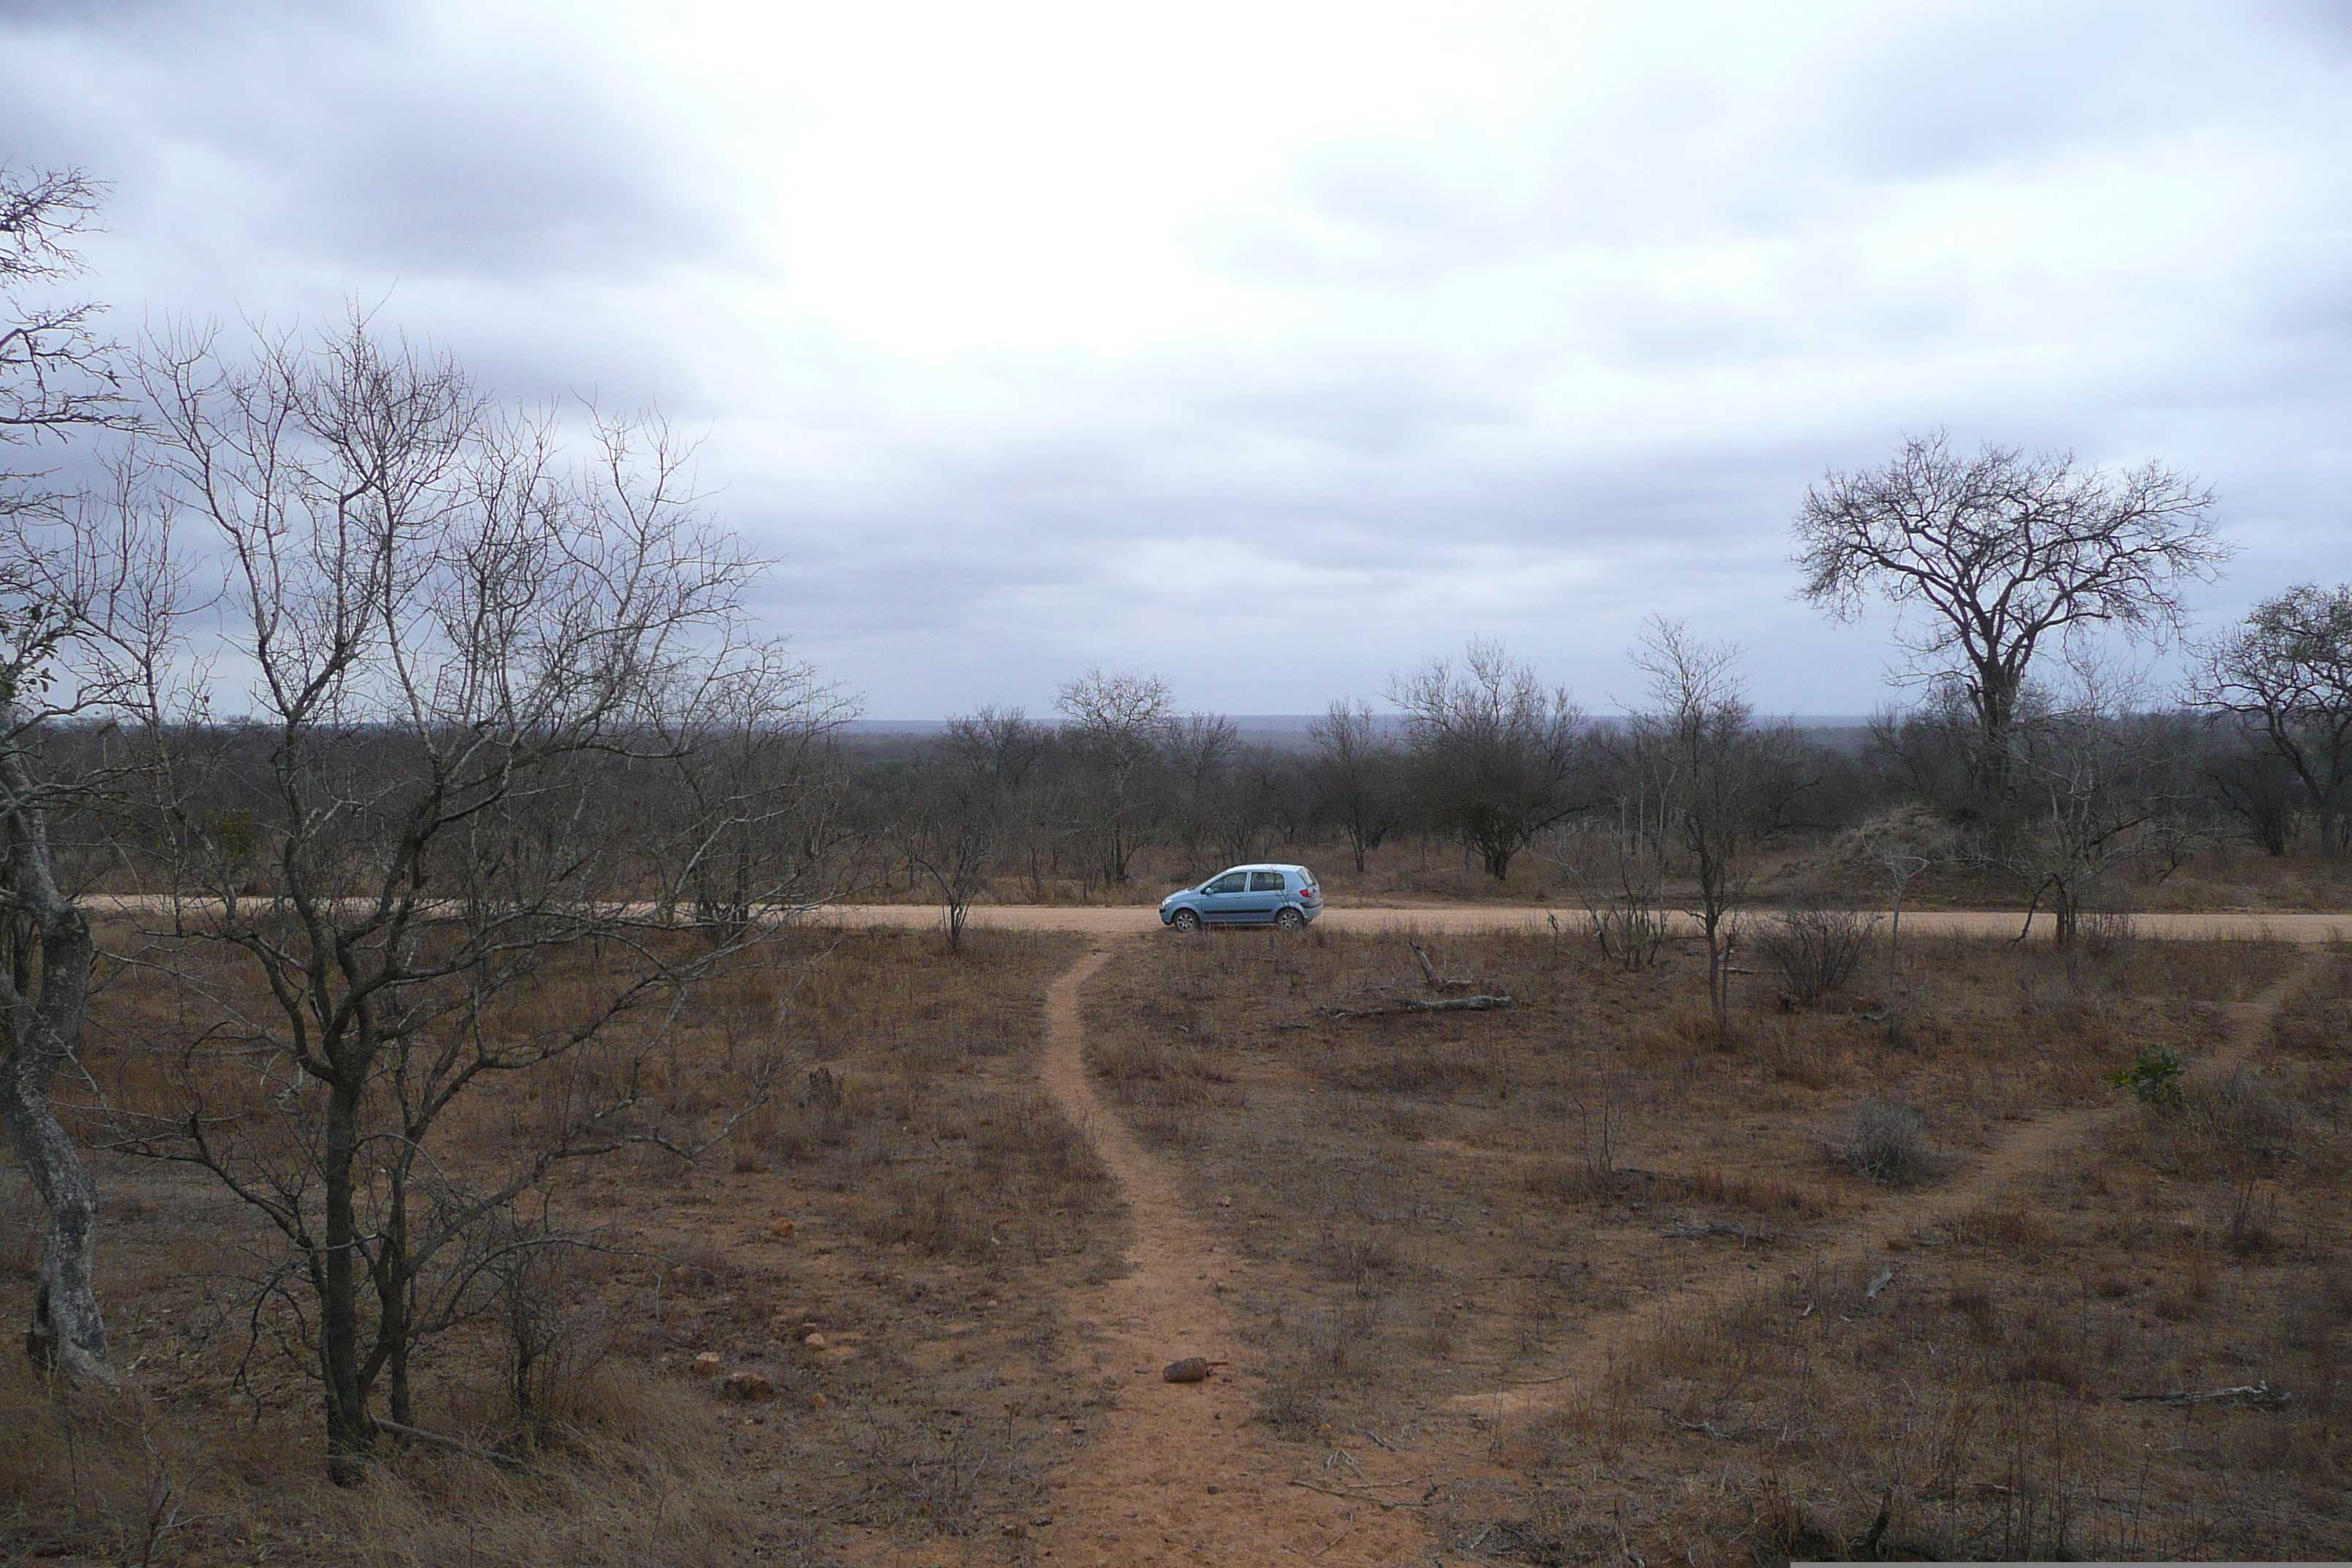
{"x": 1281, "y": 347}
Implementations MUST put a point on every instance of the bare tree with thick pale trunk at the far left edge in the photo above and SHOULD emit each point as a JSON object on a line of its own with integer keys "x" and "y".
{"x": 74, "y": 626}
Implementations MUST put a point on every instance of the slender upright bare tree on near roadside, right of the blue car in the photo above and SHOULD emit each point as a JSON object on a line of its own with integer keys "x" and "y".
{"x": 1720, "y": 784}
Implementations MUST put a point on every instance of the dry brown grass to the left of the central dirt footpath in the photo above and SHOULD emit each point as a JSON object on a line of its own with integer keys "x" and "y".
{"x": 940, "y": 1209}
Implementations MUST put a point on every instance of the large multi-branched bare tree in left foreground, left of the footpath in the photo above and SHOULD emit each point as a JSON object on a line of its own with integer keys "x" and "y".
{"x": 465, "y": 657}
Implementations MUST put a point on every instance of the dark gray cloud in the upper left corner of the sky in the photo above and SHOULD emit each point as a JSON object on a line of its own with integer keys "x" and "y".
{"x": 356, "y": 140}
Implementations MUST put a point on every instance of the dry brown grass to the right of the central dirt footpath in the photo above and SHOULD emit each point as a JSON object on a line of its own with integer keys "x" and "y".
{"x": 1441, "y": 1209}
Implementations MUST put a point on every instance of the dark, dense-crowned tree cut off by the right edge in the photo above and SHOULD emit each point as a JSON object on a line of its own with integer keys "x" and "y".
{"x": 2287, "y": 674}
